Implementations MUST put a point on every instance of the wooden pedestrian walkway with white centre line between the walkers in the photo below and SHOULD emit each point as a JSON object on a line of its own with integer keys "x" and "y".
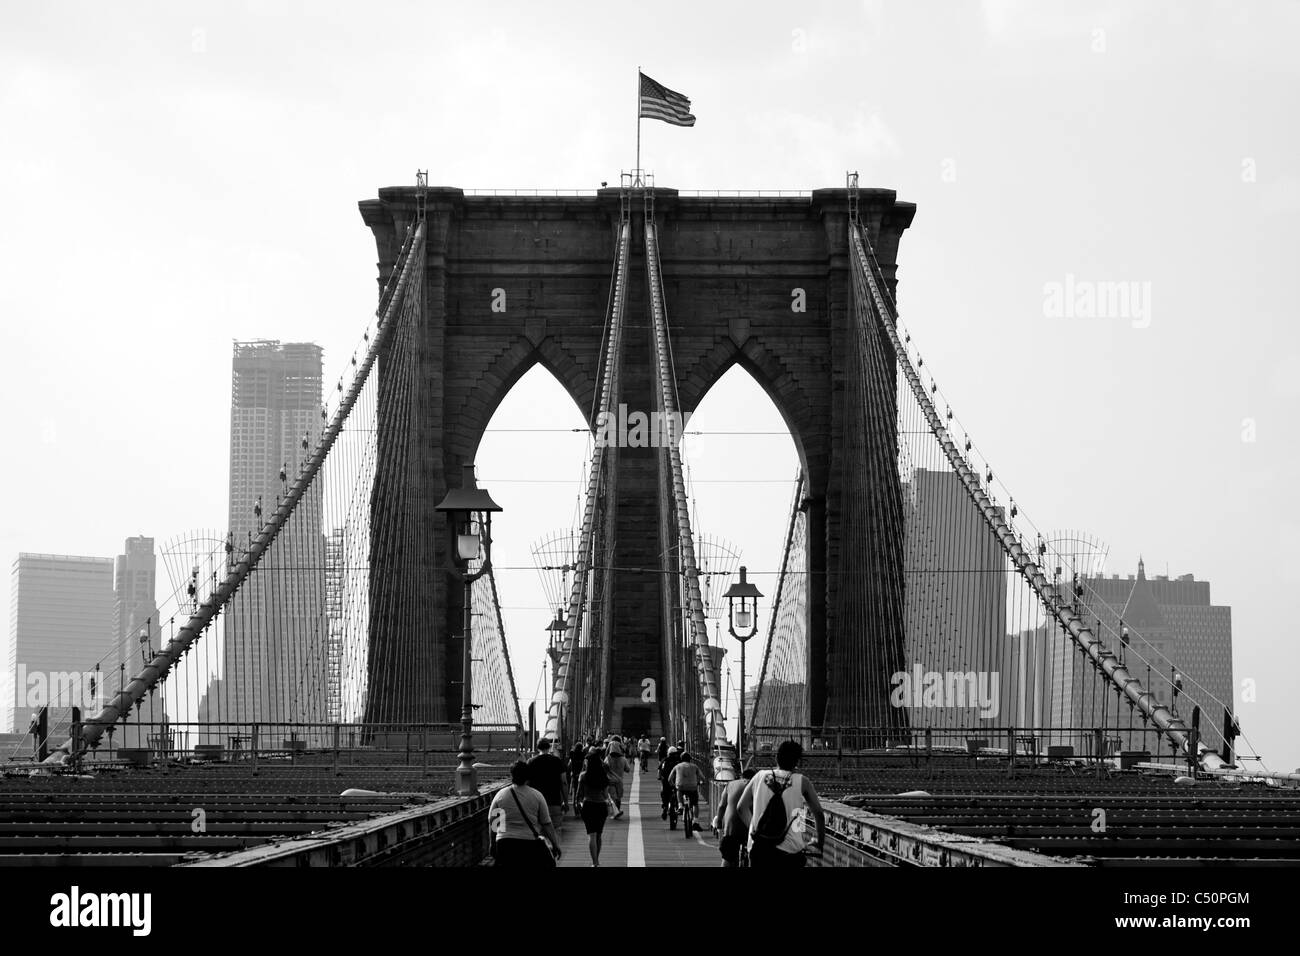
{"x": 640, "y": 838}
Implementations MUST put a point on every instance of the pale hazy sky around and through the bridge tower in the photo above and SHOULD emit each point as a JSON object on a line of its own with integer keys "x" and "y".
{"x": 175, "y": 176}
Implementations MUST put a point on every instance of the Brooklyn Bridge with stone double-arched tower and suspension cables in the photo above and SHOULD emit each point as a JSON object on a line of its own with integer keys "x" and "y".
{"x": 964, "y": 693}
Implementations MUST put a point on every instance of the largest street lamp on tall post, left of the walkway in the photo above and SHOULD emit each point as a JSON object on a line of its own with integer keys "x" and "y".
{"x": 469, "y": 512}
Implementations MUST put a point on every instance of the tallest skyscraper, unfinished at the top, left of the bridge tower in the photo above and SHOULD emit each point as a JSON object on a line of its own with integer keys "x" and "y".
{"x": 275, "y": 663}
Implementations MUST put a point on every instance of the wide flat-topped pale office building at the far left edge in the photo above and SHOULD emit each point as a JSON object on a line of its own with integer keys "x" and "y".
{"x": 60, "y": 628}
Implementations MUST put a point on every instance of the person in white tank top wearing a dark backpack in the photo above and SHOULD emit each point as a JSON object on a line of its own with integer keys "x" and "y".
{"x": 778, "y": 804}
